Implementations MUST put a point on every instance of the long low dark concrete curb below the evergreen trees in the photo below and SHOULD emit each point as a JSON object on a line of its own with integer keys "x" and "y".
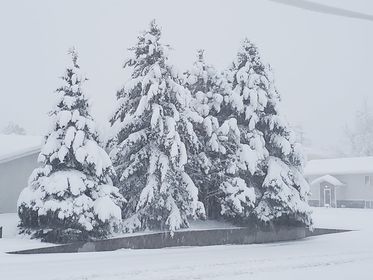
{"x": 185, "y": 238}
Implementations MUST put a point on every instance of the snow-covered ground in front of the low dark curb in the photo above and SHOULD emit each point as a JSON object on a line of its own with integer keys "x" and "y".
{"x": 346, "y": 255}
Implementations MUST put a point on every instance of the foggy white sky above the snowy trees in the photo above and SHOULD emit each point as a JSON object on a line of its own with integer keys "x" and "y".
{"x": 322, "y": 63}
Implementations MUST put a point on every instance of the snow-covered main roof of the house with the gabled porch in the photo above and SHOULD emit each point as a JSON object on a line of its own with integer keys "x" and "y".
{"x": 339, "y": 166}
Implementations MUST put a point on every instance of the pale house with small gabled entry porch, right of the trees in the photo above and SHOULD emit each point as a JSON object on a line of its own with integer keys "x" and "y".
{"x": 341, "y": 182}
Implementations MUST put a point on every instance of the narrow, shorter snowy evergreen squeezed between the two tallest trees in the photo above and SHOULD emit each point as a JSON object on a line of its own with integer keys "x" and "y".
{"x": 207, "y": 166}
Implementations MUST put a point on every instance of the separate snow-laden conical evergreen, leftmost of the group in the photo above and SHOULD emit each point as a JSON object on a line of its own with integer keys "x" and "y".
{"x": 71, "y": 196}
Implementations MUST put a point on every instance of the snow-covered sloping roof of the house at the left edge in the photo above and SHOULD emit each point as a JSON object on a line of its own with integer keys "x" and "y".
{"x": 15, "y": 146}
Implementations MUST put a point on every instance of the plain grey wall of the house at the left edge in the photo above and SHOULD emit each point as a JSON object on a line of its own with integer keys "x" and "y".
{"x": 14, "y": 175}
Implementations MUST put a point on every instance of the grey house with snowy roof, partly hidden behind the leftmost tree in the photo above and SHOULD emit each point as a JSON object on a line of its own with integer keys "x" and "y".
{"x": 18, "y": 158}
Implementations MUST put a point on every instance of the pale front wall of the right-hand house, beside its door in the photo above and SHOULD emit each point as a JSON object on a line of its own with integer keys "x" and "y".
{"x": 354, "y": 194}
